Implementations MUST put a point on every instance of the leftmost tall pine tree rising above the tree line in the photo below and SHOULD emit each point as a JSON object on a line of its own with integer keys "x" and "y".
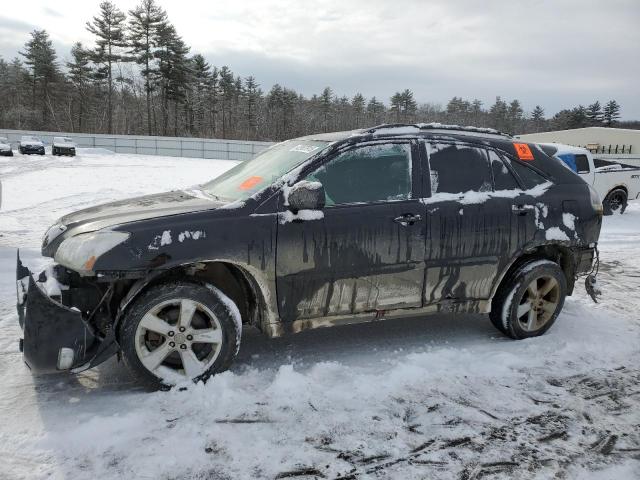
{"x": 41, "y": 60}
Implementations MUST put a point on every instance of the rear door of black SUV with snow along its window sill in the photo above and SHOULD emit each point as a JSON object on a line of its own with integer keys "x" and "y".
{"x": 472, "y": 231}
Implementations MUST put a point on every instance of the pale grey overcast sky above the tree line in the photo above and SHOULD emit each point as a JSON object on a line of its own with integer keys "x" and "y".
{"x": 554, "y": 53}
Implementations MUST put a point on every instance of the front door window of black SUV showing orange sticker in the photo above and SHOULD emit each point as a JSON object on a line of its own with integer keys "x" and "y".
{"x": 367, "y": 174}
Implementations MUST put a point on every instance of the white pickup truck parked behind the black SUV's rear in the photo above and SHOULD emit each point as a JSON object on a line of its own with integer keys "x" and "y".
{"x": 616, "y": 183}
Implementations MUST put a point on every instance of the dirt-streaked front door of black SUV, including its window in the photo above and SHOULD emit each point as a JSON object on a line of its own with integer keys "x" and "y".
{"x": 366, "y": 253}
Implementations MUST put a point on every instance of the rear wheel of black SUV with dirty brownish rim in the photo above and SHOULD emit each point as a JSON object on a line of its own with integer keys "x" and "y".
{"x": 529, "y": 300}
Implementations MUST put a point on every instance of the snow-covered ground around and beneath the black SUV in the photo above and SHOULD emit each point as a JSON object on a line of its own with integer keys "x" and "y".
{"x": 436, "y": 397}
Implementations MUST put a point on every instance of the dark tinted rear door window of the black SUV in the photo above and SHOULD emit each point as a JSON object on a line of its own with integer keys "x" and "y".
{"x": 458, "y": 169}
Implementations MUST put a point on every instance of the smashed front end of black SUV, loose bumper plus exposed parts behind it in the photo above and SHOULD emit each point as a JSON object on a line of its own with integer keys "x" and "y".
{"x": 58, "y": 335}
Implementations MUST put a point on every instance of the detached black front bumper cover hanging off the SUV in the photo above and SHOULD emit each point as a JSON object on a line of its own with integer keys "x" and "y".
{"x": 56, "y": 337}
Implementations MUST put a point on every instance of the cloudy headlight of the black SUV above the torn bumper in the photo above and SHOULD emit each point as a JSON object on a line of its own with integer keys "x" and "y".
{"x": 80, "y": 253}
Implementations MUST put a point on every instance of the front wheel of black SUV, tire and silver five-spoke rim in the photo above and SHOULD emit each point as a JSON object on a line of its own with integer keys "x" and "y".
{"x": 153, "y": 324}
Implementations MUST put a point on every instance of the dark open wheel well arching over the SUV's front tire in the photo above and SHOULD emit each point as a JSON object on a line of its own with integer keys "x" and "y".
{"x": 232, "y": 280}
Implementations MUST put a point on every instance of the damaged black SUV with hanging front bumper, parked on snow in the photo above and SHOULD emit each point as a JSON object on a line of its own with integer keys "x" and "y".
{"x": 329, "y": 229}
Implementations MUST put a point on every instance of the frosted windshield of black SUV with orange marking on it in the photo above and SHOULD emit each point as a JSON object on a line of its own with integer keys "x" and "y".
{"x": 248, "y": 177}
